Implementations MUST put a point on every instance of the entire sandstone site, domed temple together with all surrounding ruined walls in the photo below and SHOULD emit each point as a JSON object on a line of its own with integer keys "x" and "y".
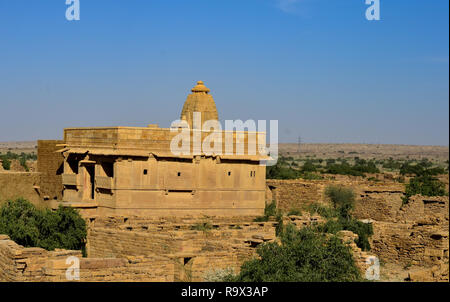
{"x": 156, "y": 216}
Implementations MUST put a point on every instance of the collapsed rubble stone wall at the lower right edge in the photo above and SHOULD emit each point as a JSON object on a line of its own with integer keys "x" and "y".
{"x": 419, "y": 237}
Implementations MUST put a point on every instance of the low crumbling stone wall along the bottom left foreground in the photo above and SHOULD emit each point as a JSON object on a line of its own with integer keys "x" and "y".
{"x": 18, "y": 263}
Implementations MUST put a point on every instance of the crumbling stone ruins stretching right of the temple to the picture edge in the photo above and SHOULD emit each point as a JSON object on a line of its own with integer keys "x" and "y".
{"x": 412, "y": 235}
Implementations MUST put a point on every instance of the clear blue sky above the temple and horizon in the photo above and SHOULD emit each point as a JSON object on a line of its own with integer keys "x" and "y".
{"x": 318, "y": 66}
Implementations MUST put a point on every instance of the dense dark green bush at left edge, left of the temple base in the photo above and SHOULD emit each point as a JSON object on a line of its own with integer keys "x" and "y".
{"x": 31, "y": 227}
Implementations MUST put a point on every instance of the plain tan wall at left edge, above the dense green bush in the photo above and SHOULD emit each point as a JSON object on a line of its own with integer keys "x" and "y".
{"x": 20, "y": 184}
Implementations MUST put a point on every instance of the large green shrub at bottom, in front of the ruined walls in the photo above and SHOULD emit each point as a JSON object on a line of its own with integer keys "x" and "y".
{"x": 304, "y": 255}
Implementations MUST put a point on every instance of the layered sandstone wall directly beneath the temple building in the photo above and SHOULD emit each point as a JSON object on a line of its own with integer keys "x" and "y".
{"x": 196, "y": 246}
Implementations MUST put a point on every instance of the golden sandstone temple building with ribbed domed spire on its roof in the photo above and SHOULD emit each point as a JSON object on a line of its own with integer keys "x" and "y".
{"x": 132, "y": 170}
